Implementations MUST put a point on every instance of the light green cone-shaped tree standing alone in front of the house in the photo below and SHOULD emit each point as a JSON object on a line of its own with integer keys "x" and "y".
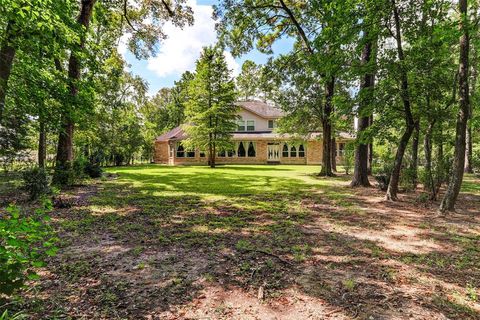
{"x": 211, "y": 112}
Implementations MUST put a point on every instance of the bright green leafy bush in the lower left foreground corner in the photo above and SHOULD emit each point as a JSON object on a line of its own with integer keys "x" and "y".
{"x": 25, "y": 240}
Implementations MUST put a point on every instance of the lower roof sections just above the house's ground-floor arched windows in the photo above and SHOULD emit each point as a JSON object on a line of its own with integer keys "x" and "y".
{"x": 178, "y": 134}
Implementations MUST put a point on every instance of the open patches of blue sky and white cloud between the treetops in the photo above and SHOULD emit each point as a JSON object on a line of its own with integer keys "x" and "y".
{"x": 182, "y": 48}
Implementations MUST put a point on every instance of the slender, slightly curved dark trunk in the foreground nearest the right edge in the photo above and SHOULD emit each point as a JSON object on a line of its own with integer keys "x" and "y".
{"x": 456, "y": 177}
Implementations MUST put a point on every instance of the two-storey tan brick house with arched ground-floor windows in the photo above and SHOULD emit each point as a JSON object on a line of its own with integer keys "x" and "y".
{"x": 256, "y": 142}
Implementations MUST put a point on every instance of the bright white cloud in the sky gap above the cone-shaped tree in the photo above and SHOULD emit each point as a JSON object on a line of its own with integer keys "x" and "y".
{"x": 182, "y": 48}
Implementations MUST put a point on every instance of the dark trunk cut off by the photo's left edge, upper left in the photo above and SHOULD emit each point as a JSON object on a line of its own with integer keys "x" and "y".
{"x": 7, "y": 53}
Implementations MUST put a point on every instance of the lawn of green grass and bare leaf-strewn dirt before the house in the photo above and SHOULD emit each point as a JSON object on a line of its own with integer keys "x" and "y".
{"x": 250, "y": 242}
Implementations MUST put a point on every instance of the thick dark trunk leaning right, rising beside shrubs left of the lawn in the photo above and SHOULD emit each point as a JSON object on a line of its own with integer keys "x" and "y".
{"x": 65, "y": 138}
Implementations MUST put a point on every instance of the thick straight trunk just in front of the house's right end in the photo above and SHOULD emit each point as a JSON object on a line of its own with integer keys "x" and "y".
{"x": 360, "y": 171}
